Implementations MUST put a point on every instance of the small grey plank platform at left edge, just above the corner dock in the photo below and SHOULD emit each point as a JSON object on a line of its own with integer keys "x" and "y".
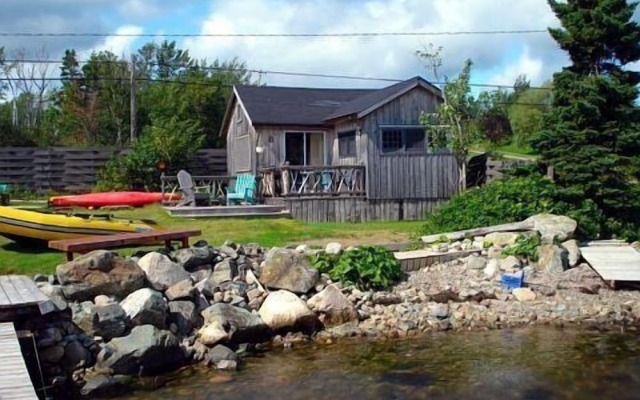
{"x": 20, "y": 296}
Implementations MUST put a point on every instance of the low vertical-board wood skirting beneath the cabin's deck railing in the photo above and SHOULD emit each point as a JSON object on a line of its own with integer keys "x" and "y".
{"x": 358, "y": 209}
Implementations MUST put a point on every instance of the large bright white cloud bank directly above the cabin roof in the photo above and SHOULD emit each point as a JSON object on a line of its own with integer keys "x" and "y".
{"x": 389, "y": 57}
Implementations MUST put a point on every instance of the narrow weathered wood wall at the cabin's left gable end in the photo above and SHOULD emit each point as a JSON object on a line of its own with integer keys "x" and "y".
{"x": 240, "y": 142}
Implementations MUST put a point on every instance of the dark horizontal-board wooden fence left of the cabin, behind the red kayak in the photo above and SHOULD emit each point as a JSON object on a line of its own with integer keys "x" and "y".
{"x": 67, "y": 169}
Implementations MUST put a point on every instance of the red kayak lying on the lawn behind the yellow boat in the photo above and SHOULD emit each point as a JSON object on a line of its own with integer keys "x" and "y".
{"x": 110, "y": 199}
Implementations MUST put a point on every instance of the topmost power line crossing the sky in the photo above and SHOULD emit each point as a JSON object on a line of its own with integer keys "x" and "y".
{"x": 274, "y": 35}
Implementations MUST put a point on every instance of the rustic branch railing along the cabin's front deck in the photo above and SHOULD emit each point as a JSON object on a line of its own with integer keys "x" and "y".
{"x": 331, "y": 180}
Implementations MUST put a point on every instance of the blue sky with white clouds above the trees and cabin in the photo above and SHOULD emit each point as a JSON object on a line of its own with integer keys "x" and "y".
{"x": 498, "y": 59}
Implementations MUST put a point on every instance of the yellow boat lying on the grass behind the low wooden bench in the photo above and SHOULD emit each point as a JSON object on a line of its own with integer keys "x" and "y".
{"x": 31, "y": 226}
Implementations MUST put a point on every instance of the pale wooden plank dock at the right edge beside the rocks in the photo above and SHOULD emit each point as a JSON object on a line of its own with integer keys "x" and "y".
{"x": 613, "y": 262}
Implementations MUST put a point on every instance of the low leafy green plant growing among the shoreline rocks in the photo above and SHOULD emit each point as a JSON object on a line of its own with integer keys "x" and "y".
{"x": 366, "y": 267}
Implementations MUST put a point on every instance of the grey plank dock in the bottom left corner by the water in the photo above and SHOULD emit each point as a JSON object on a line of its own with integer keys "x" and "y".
{"x": 15, "y": 383}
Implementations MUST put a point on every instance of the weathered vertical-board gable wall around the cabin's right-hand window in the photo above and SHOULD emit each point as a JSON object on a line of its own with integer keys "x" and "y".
{"x": 405, "y": 176}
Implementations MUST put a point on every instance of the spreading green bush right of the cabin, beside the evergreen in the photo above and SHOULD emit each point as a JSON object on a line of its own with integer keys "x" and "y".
{"x": 511, "y": 200}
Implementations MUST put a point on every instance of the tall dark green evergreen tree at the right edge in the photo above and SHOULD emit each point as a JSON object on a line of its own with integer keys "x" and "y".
{"x": 591, "y": 135}
